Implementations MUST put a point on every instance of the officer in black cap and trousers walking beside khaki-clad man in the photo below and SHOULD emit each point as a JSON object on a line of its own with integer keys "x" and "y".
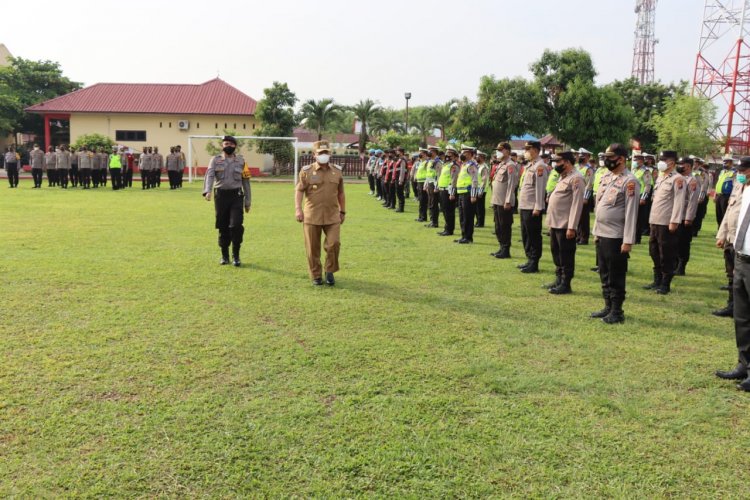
{"x": 229, "y": 181}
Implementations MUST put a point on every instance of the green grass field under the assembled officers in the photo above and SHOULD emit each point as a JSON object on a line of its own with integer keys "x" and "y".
{"x": 133, "y": 365}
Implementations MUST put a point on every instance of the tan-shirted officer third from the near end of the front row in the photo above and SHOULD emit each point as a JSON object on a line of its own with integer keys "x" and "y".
{"x": 531, "y": 204}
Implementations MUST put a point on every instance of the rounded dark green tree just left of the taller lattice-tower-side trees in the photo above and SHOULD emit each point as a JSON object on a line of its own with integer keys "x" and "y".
{"x": 592, "y": 117}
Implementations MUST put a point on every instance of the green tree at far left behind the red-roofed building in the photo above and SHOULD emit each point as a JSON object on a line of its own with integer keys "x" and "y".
{"x": 24, "y": 83}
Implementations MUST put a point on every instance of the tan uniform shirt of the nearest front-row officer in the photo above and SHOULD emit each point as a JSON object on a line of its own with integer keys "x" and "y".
{"x": 617, "y": 207}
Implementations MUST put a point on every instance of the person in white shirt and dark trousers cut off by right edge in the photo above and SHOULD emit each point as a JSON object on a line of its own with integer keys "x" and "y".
{"x": 742, "y": 286}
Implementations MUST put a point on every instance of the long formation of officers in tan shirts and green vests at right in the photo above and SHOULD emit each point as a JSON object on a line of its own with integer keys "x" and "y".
{"x": 631, "y": 194}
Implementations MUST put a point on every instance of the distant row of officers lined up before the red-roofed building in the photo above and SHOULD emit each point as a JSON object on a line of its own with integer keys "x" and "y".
{"x": 88, "y": 167}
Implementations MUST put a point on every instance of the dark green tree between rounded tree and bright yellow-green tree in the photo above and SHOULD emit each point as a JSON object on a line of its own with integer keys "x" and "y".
{"x": 647, "y": 101}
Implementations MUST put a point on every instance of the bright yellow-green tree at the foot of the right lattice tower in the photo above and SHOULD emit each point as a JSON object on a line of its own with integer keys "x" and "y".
{"x": 686, "y": 125}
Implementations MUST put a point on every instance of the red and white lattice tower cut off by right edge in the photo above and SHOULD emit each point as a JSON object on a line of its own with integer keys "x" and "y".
{"x": 722, "y": 70}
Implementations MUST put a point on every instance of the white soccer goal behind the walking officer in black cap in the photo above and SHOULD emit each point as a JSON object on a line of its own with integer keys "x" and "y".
{"x": 278, "y": 156}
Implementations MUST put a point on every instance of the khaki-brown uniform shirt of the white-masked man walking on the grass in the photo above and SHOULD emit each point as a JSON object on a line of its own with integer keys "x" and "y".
{"x": 321, "y": 185}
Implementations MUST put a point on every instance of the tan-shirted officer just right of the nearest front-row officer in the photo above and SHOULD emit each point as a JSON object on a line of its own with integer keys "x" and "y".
{"x": 666, "y": 215}
